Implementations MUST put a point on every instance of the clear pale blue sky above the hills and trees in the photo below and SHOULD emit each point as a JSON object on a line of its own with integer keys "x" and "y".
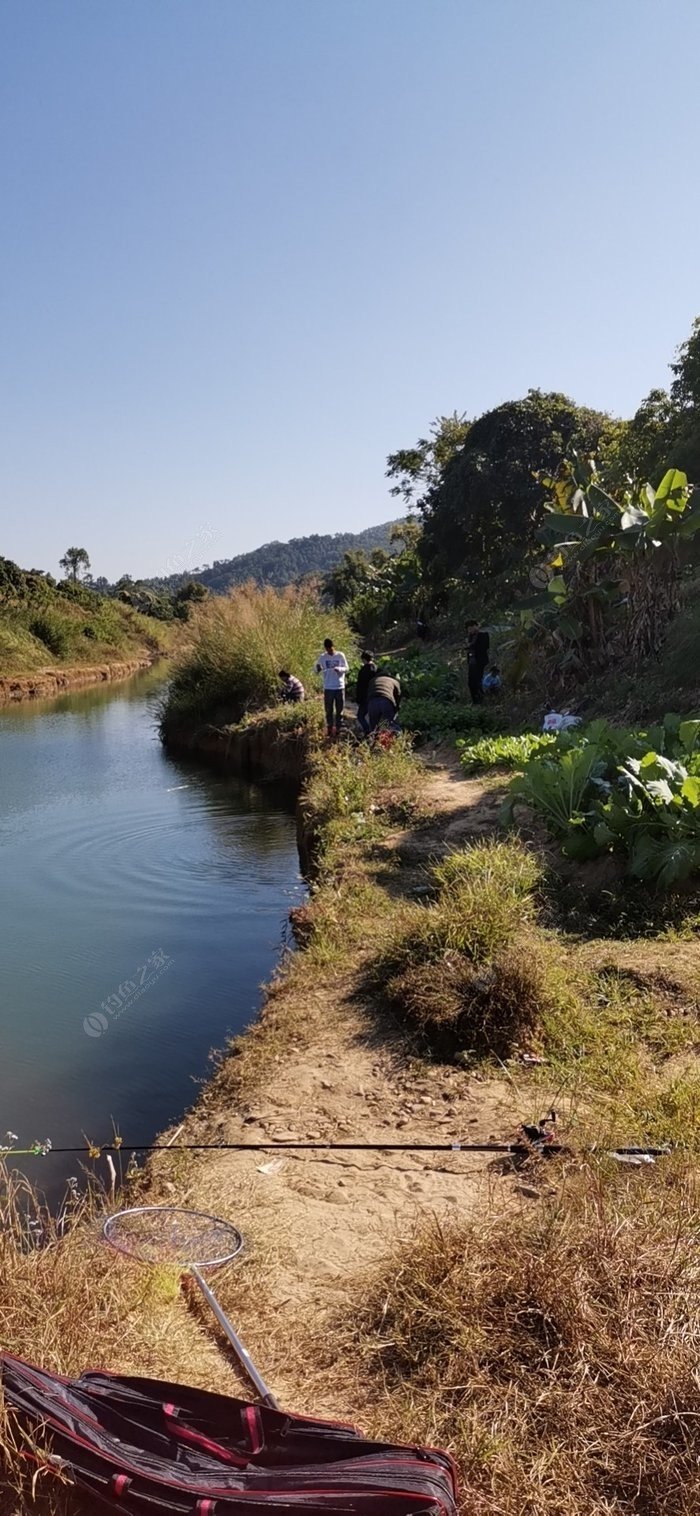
{"x": 252, "y": 246}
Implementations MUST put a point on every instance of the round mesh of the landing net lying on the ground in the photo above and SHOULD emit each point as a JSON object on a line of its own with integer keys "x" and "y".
{"x": 169, "y": 1236}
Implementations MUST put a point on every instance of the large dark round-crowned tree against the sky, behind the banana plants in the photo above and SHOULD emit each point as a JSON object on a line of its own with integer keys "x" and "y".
{"x": 483, "y": 512}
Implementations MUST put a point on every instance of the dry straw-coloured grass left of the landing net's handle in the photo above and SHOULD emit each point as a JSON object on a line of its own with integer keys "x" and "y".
{"x": 69, "y": 1305}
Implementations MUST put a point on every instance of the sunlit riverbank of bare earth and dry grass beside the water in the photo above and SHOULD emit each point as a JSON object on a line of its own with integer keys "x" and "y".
{"x": 543, "y": 1324}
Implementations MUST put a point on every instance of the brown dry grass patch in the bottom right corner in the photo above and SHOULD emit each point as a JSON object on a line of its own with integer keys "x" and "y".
{"x": 554, "y": 1352}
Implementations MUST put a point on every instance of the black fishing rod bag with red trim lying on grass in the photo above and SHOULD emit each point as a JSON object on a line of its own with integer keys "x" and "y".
{"x": 148, "y": 1447}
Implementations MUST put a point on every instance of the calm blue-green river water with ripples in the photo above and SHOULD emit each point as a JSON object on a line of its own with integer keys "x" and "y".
{"x": 143, "y": 901}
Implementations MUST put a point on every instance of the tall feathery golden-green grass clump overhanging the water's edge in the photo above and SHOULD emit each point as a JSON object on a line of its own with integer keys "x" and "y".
{"x": 240, "y": 642}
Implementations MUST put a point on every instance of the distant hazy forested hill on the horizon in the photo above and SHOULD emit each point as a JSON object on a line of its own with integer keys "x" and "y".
{"x": 283, "y": 563}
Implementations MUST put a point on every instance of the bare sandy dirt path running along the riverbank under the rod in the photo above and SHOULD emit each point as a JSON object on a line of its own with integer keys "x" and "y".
{"x": 316, "y": 1221}
